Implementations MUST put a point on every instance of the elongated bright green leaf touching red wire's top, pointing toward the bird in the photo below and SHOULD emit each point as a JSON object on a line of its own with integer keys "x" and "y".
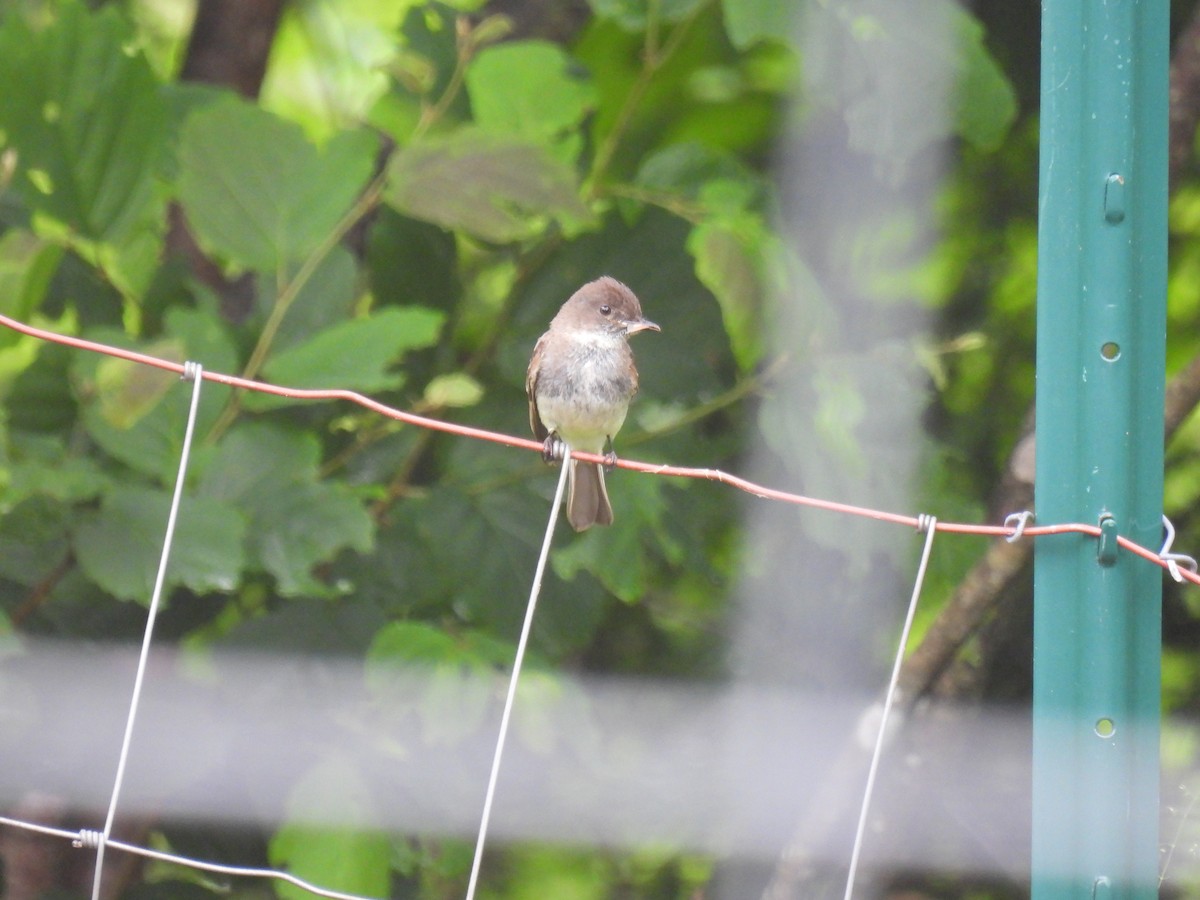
{"x": 355, "y": 355}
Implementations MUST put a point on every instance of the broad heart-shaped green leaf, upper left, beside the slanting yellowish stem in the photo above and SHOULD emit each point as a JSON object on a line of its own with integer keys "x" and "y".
{"x": 257, "y": 193}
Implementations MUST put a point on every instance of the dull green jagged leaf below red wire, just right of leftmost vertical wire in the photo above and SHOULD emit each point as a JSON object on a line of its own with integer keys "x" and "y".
{"x": 296, "y": 521}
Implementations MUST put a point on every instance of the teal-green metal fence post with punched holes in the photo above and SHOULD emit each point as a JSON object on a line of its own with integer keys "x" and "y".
{"x": 1102, "y": 289}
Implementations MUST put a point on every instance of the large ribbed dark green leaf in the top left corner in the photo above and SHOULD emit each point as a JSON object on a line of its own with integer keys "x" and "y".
{"x": 87, "y": 121}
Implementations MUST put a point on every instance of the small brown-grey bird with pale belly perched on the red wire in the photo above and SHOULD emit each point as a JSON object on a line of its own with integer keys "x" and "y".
{"x": 580, "y": 382}
